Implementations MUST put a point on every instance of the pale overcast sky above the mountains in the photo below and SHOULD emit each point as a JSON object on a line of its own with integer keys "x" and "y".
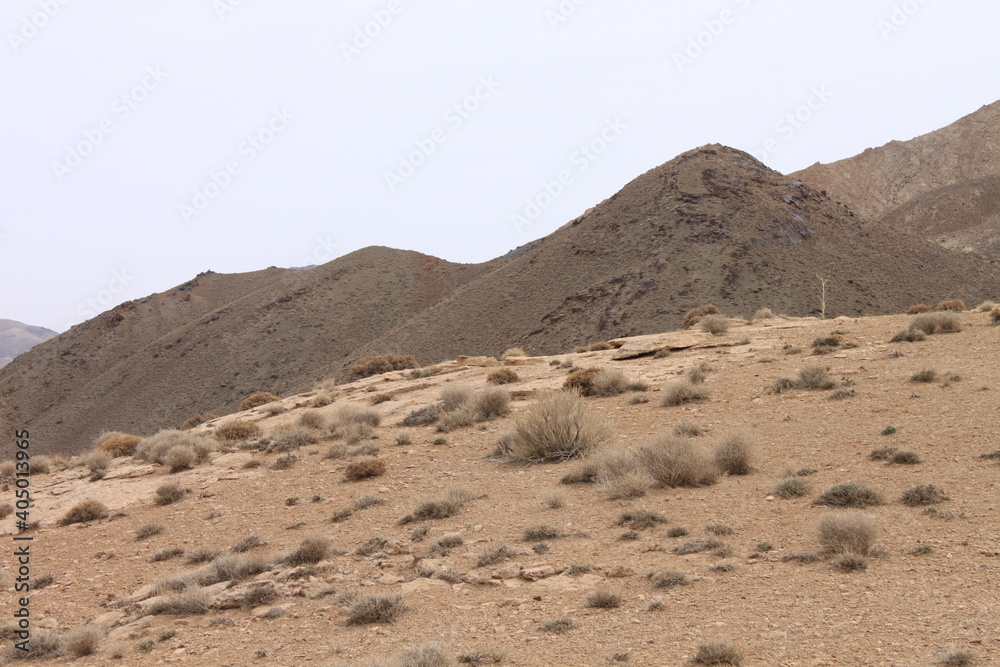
{"x": 146, "y": 141}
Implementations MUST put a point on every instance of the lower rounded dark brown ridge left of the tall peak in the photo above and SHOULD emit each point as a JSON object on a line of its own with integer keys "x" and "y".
{"x": 204, "y": 346}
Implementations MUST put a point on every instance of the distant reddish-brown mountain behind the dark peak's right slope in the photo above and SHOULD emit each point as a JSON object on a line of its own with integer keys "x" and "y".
{"x": 941, "y": 186}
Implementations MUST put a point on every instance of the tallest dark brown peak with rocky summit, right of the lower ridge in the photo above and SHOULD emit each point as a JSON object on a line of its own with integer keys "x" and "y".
{"x": 713, "y": 225}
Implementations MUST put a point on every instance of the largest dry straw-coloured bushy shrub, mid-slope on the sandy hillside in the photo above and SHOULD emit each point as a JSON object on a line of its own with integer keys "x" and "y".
{"x": 557, "y": 428}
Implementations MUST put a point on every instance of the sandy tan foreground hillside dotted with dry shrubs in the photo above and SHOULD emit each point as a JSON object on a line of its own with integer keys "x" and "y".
{"x": 704, "y": 518}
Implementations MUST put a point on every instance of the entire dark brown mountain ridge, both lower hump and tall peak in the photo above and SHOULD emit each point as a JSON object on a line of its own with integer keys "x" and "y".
{"x": 713, "y": 225}
